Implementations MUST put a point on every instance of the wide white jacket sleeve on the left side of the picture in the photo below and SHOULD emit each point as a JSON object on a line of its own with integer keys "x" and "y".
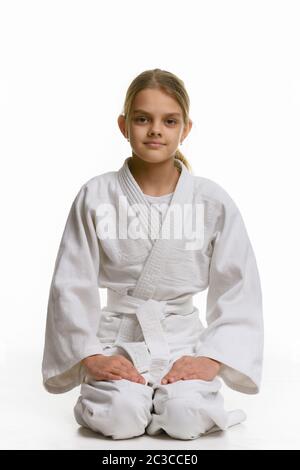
{"x": 73, "y": 313}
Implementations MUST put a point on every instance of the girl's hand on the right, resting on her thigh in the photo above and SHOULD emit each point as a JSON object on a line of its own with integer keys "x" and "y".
{"x": 189, "y": 367}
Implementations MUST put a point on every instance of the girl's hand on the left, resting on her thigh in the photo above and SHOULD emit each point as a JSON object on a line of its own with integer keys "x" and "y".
{"x": 117, "y": 367}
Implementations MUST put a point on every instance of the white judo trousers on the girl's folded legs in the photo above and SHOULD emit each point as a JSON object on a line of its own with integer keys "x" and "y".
{"x": 122, "y": 409}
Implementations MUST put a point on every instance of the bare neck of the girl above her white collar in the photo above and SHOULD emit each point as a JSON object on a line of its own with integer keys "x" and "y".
{"x": 154, "y": 179}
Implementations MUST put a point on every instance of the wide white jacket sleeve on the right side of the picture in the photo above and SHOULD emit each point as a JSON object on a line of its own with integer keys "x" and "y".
{"x": 235, "y": 332}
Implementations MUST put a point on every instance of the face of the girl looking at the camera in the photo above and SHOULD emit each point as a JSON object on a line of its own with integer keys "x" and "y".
{"x": 157, "y": 117}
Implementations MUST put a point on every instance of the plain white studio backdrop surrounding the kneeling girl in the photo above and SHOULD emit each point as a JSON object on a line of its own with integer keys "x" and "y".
{"x": 64, "y": 70}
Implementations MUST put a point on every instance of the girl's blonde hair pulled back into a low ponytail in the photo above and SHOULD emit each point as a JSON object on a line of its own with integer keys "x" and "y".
{"x": 167, "y": 82}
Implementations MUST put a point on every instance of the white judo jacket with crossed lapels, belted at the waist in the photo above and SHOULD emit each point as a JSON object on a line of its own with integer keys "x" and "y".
{"x": 151, "y": 269}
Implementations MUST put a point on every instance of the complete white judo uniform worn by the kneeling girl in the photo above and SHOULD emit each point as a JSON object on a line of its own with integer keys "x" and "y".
{"x": 150, "y": 317}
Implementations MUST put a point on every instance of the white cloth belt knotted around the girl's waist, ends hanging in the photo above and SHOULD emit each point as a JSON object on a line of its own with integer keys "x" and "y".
{"x": 153, "y": 354}
